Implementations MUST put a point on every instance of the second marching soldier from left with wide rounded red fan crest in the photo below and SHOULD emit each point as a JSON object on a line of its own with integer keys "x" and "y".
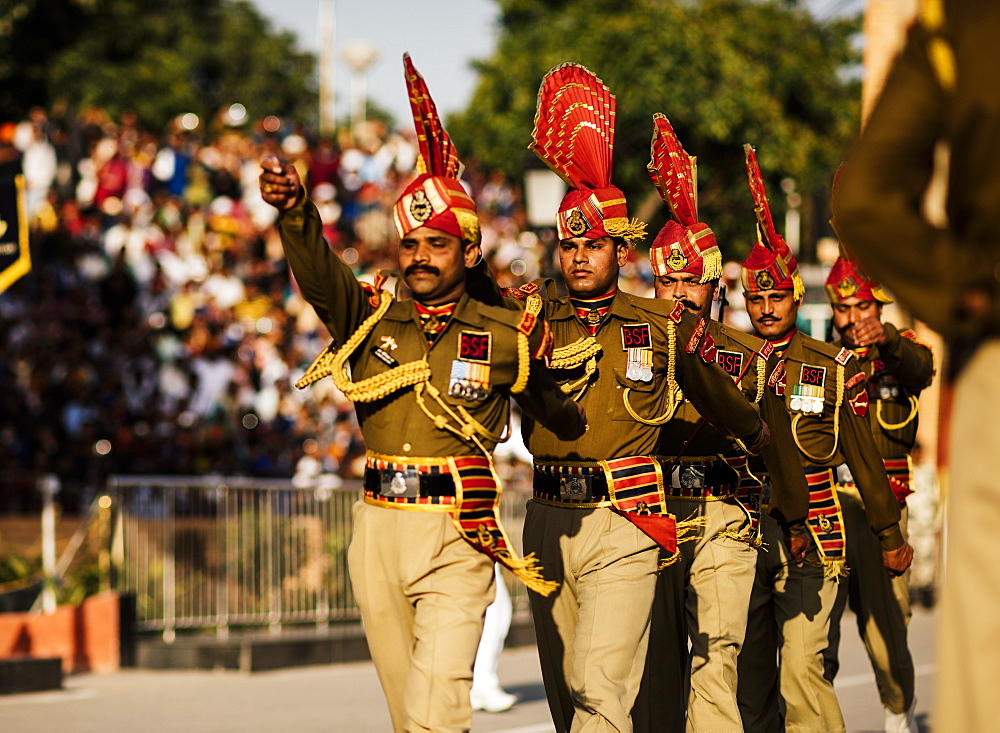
{"x": 599, "y": 519}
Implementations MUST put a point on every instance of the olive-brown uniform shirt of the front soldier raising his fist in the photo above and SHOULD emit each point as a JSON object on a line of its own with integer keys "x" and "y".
{"x": 476, "y": 334}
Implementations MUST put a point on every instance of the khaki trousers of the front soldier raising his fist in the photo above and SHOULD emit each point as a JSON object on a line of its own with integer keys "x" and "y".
{"x": 423, "y": 592}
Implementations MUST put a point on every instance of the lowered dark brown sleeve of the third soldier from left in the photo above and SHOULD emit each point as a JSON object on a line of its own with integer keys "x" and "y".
{"x": 789, "y": 503}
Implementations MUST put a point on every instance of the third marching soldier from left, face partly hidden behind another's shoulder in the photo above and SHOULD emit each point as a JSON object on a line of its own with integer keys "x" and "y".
{"x": 704, "y": 597}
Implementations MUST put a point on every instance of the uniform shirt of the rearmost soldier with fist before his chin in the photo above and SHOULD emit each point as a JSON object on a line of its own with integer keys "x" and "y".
{"x": 897, "y": 372}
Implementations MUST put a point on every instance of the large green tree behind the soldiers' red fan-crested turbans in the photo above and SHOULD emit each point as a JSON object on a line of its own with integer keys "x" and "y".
{"x": 724, "y": 72}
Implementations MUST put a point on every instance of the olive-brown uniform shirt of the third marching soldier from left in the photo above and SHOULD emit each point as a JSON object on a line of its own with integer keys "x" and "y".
{"x": 739, "y": 355}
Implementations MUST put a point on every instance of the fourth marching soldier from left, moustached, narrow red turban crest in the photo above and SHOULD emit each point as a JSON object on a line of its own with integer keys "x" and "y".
{"x": 824, "y": 390}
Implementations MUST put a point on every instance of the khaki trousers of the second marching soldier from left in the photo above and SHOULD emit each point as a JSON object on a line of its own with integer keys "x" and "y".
{"x": 593, "y": 631}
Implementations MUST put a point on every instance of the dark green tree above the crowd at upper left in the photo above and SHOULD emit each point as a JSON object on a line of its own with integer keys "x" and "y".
{"x": 158, "y": 59}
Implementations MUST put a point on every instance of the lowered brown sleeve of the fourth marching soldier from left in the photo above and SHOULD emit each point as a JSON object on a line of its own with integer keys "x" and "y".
{"x": 863, "y": 458}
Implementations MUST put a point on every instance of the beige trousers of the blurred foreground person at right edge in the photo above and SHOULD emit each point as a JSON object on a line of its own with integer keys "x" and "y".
{"x": 965, "y": 695}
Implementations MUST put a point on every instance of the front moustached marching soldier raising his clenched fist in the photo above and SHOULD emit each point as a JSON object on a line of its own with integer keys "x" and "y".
{"x": 431, "y": 379}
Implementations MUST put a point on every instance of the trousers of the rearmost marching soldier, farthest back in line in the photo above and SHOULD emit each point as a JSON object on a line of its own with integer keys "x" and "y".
{"x": 881, "y": 605}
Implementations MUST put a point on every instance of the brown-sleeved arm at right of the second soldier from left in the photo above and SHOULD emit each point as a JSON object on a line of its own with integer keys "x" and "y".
{"x": 711, "y": 390}
